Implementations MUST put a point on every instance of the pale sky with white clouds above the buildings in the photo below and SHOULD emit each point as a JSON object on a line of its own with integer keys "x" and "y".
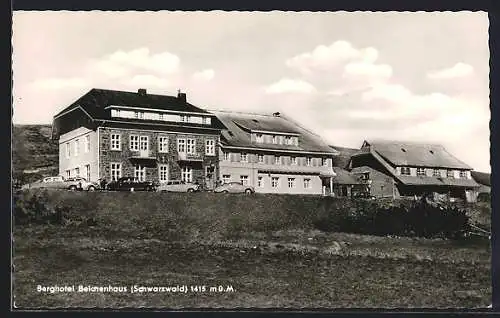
{"x": 349, "y": 77}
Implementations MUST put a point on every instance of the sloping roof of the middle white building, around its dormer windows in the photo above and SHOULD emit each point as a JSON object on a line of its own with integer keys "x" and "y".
{"x": 240, "y": 125}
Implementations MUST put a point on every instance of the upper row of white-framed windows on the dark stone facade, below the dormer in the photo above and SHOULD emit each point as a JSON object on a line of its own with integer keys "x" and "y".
{"x": 184, "y": 145}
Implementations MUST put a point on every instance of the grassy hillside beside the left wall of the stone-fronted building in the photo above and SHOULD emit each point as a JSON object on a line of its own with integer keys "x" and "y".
{"x": 34, "y": 154}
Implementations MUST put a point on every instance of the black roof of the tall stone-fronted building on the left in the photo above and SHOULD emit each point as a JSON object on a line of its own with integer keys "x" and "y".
{"x": 96, "y": 100}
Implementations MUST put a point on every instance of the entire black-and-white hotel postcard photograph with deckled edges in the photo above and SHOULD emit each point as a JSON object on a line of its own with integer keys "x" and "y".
{"x": 189, "y": 160}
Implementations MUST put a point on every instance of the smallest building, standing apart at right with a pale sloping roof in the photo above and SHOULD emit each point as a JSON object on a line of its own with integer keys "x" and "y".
{"x": 403, "y": 169}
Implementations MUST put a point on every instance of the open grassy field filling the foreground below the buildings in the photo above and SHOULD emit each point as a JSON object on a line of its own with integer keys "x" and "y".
{"x": 291, "y": 267}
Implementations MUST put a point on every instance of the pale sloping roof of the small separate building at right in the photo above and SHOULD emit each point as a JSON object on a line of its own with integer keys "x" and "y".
{"x": 416, "y": 155}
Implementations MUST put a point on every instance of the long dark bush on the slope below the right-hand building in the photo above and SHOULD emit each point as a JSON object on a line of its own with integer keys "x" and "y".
{"x": 417, "y": 219}
